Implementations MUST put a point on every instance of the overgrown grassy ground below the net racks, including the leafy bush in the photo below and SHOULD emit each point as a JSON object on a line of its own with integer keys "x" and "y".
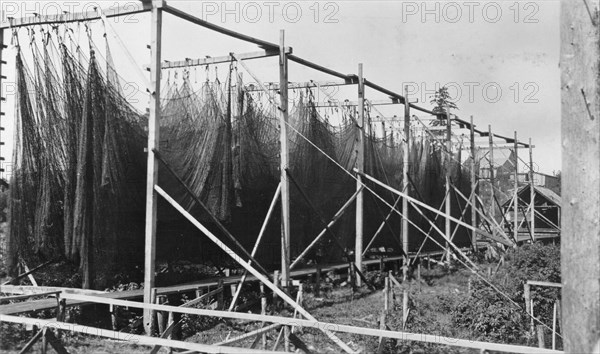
{"x": 448, "y": 301}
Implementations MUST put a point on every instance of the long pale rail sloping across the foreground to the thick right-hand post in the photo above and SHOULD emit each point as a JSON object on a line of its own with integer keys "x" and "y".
{"x": 311, "y": 323}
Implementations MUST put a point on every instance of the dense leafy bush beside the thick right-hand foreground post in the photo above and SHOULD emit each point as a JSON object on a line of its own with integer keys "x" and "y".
{"x": 491, "y": 316}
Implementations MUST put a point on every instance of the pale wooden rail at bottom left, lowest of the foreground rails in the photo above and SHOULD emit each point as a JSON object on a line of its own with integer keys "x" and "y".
{"x": 127, "y": 337}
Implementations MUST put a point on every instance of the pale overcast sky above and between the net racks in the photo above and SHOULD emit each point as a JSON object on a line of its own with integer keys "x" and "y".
{"x": 498, "y": 58}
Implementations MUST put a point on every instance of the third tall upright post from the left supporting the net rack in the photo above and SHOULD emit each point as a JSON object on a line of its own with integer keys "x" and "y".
{"x": 360, "y": 165}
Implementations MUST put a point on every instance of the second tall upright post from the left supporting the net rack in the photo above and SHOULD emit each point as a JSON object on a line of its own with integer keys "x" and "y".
{"x": 284, "y": 162}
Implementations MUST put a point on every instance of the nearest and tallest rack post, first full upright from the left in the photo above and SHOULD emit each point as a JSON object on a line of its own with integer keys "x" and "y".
{"x": 152, "y": 169}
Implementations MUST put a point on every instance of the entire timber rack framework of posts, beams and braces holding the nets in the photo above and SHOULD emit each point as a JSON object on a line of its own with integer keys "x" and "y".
{"x": 286, "y": 278}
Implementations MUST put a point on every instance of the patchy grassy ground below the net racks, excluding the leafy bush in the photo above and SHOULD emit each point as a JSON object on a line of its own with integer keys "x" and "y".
{"x": 431, "y": 304}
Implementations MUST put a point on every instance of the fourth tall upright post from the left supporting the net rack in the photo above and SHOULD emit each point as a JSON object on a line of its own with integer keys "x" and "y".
{"x": 405, "y": 188}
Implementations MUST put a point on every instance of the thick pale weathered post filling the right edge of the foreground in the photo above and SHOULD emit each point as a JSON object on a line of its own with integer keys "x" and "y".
{"x": 580, "y": 244}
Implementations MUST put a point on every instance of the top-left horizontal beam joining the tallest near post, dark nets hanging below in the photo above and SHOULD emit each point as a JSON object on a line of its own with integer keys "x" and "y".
{"x": 130, "y": 8}
